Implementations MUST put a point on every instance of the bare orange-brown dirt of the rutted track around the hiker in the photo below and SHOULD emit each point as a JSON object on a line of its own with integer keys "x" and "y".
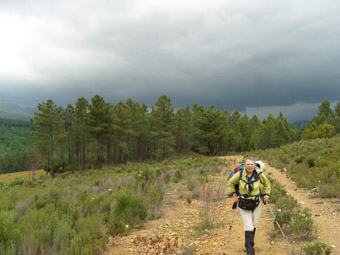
{"x": 177, "y": 228}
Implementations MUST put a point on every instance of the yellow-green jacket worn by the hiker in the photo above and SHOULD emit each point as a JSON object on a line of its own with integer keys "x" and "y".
{"x": 254, "y": 192}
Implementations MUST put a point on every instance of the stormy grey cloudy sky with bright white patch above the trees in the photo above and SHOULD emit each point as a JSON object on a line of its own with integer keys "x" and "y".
{"x": 252, "y": 56}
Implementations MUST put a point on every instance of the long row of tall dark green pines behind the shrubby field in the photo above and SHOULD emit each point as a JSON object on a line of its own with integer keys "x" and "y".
{"x": 97, "y": 133}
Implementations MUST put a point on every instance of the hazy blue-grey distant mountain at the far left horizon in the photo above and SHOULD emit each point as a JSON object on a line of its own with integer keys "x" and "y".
{"x": 11, "y": 111}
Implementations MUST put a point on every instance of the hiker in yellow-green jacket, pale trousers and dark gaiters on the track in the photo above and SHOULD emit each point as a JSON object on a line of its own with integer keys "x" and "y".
{"x": 248, "y": 197}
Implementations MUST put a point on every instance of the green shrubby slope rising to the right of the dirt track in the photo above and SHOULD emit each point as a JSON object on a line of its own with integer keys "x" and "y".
{"x": 311, "y": 164}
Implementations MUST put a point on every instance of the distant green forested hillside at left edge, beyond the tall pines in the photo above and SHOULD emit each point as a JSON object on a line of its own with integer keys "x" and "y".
{"x": 16, "y": 147}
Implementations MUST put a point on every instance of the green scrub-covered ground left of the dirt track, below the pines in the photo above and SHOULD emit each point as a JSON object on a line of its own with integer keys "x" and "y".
{"x": 75, "y": 213}
